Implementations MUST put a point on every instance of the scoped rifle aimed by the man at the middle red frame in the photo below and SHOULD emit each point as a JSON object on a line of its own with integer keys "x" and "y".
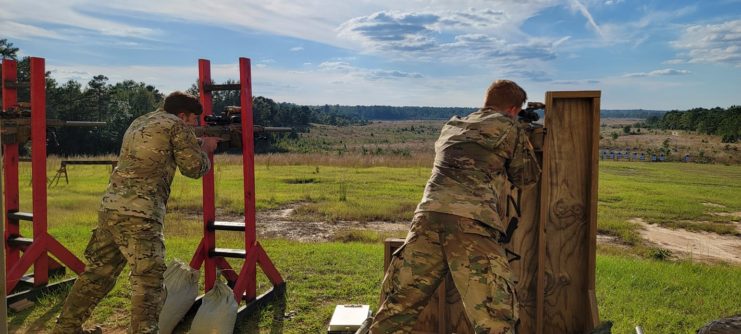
{"x": 228, "y": 127}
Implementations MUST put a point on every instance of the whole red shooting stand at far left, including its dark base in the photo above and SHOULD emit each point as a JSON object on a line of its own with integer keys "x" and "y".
{"x": 16, "y": 129}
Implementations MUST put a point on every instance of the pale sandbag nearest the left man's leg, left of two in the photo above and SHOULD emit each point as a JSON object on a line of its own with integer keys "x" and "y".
{"x": 181, "y": 287}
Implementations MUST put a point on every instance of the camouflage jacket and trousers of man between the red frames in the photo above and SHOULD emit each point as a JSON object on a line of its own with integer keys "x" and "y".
{"x": 130, "y": 221}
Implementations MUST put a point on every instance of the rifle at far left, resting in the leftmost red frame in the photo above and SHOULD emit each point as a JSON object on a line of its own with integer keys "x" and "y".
{"x": 15, "y": 126}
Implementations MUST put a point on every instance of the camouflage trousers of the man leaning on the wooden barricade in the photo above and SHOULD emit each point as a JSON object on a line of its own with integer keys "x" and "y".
{"x": 438, "y": 244}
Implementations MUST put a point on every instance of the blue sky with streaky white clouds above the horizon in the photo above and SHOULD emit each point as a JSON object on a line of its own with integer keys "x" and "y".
{"x": 647, "y": 54}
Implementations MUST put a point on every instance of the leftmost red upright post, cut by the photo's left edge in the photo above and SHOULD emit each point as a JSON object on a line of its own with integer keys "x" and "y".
{"x": 10, "y": 163}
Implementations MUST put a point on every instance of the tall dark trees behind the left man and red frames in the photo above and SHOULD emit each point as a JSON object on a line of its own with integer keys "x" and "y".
{"x": 118, "y": 104}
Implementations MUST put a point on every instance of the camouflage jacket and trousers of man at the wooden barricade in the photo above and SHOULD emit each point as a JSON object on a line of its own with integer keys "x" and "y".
{"x": 457, "y": 226}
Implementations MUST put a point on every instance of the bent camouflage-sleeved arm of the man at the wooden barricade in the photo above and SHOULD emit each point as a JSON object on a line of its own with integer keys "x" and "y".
{"x": 522, "y": 167}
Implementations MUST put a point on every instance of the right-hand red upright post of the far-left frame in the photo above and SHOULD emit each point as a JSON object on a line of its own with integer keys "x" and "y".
{"x": 38, "y": 164}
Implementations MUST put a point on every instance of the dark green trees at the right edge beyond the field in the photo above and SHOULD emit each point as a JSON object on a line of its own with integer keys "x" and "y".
{"x": 725, "y": 123}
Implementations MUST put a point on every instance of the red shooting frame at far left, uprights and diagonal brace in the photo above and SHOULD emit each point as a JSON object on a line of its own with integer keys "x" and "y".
{"x": 35, "y": 252}
